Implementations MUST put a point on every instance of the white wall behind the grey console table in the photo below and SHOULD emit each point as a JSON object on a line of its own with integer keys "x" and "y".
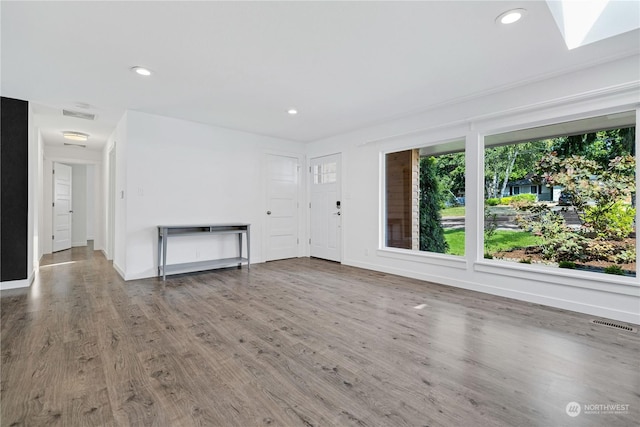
{"x": 180, "y": 172}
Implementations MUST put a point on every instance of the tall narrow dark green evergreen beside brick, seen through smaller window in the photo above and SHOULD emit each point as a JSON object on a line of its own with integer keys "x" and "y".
{"x": 431, "y": 231}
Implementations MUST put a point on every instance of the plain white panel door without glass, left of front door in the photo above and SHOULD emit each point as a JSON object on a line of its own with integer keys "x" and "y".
{"x": 282, "y": 207}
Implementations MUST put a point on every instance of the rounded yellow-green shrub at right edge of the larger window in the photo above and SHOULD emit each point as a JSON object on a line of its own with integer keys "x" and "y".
{"x": 612, "y": 221}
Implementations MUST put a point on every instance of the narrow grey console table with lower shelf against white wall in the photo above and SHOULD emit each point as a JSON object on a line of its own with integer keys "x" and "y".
{"x": 167, "y": 231}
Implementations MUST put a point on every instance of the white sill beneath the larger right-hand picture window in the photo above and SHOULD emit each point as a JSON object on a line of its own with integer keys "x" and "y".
{"x": 582, "y": 279}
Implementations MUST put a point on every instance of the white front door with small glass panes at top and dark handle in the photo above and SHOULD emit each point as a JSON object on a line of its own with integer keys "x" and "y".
{"x": 326, "y": 209}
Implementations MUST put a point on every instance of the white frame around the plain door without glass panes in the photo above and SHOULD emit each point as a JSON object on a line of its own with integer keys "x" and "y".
{"x": 302, "y": 197}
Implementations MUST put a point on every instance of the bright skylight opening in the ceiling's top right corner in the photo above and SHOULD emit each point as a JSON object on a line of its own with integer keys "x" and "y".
{"x": 584, "y": 22}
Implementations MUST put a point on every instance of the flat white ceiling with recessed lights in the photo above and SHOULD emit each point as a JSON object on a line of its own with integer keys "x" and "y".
{"x": 241, "y": 65}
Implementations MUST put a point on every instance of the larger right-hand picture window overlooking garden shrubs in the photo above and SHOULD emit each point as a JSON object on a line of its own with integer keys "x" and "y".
{"x": 564, "y": 195}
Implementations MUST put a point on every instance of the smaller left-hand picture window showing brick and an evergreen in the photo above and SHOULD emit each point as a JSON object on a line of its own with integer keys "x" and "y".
{"x": 425, "y": 199}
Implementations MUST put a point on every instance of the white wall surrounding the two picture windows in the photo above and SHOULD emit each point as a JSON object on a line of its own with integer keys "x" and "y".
{"x": 605, "y": 88}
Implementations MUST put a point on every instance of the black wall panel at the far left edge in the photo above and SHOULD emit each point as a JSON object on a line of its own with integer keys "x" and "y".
{"x": 14, "y": 201}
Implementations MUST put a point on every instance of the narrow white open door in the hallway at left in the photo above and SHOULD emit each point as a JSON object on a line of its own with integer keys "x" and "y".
{"x": 62, "y": 211}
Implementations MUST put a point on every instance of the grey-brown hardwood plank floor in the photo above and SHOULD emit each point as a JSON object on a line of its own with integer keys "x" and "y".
{"x": 299, "y": 342}
